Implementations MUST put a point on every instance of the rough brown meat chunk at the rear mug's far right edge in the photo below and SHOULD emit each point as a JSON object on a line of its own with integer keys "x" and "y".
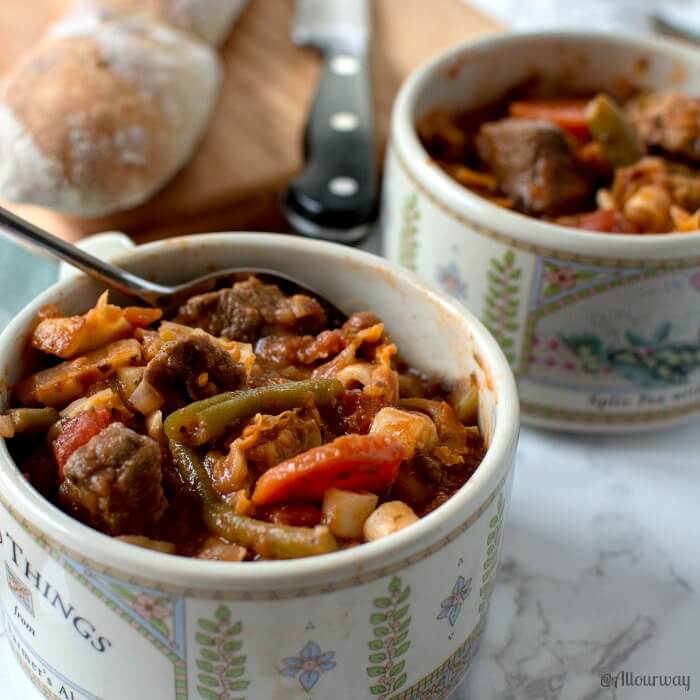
{"x": 669, "y": 121}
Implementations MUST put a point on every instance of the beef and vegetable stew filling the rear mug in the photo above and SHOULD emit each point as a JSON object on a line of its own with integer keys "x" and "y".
{"x": 624, "y": 163}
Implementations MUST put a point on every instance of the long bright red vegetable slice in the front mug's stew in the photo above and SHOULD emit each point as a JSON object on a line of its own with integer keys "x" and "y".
{"x": 351, "y": 462}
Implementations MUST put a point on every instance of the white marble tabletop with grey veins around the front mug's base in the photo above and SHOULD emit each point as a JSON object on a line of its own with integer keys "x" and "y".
{"x": 599, "y": 572}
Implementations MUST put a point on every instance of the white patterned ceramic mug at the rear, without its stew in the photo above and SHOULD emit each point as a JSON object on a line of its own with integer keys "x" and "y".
{"x": 602, "y": 330}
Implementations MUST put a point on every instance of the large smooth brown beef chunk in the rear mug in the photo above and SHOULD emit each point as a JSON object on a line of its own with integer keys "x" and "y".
{"x": 534, "y": 165}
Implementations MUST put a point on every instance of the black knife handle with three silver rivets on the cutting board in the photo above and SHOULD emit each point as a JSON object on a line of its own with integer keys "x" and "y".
{"x": 335, "y": 195}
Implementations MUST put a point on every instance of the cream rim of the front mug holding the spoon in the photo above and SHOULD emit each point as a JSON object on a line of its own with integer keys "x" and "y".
{"x": 75, "y": 537}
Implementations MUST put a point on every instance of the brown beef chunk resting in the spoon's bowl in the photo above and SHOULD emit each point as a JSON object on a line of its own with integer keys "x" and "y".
{"x": 251, "y": 309}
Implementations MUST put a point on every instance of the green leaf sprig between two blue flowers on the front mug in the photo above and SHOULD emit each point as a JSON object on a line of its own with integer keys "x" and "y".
{"x": 391, "y": 624}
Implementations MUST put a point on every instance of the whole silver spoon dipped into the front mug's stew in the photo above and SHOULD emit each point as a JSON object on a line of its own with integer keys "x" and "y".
{"x": 136, "y": 287}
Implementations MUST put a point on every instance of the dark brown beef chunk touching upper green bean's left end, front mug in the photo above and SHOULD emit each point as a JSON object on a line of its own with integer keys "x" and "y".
{"x": 196, "y": 364}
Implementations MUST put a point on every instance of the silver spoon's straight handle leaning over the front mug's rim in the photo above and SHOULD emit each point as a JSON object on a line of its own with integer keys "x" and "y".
{"x": 112, "y": 276}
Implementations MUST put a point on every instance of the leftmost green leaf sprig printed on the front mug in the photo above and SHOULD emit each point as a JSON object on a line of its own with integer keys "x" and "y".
{"x": 220, "y": 668}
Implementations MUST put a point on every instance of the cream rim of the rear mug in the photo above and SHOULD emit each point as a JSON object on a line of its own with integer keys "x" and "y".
{"x": 521, "y": 227}
